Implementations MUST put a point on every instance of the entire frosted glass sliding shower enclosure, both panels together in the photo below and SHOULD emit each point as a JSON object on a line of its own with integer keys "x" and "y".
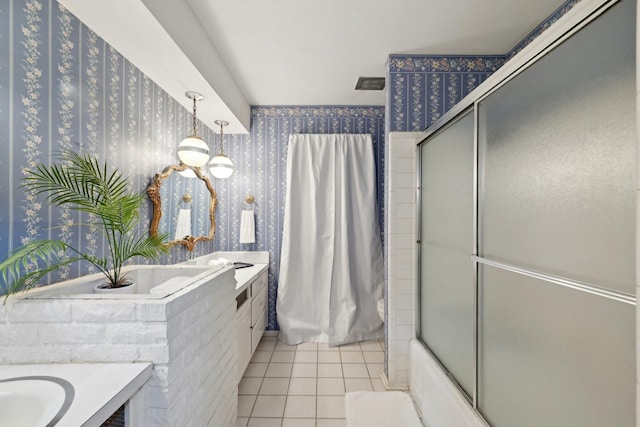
{"x": 527, "y": 236}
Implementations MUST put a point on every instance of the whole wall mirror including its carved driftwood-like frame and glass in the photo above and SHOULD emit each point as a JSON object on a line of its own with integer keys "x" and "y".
{"x": 184, "y": 206}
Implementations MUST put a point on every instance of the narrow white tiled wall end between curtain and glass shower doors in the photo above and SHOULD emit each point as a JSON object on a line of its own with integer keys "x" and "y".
{"x": 400, "y": 187}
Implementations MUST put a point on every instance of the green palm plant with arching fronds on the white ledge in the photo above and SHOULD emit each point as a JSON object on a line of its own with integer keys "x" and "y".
{"x": 82, "y": 183}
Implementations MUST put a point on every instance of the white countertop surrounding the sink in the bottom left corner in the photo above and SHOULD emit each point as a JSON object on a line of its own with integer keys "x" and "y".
{"x": 99, "y": 389}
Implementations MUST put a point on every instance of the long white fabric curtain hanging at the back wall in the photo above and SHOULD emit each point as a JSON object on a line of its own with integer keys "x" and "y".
{"x": 331, "y": 266}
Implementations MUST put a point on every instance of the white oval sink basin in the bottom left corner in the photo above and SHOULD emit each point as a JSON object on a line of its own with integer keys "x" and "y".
{"x": 34, "y": 401}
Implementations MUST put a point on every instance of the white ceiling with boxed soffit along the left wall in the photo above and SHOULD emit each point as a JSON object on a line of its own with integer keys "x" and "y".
{"x": 296, "y": 52}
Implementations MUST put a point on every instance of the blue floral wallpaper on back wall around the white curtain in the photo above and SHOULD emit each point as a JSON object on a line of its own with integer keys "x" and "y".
{"x": 260, "y": 162}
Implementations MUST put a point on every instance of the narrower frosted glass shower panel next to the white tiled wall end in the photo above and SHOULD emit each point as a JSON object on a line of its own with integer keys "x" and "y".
{"x": 447, "y": 277}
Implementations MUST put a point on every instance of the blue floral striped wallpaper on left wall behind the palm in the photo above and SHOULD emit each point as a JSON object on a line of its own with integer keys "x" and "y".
{"x": 62, "y": 87}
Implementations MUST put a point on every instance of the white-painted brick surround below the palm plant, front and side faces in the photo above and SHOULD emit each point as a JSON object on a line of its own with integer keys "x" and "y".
{"x": 185, "y": 334}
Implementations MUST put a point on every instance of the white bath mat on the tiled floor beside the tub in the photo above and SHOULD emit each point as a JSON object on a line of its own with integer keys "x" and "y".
{"x": 380, "y": 409}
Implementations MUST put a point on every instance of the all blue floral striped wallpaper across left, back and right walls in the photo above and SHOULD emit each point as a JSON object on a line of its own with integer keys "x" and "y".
{"x": 61, "y": 86}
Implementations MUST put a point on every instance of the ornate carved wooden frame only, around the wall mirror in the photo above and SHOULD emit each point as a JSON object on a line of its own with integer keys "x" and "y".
{"x": 154, "y": 194}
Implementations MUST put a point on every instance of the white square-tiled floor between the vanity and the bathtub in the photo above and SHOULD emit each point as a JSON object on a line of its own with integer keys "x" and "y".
{"x": 304, "y": 385}
